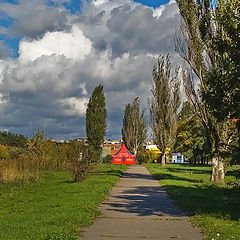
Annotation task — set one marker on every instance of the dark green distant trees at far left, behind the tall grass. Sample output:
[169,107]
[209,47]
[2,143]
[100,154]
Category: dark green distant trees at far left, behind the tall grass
[13,140]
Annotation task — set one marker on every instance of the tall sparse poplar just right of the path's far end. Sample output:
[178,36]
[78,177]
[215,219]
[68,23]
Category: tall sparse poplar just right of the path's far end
[164,104]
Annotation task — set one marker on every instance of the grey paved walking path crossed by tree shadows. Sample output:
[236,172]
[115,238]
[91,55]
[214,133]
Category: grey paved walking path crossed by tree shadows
[138,208]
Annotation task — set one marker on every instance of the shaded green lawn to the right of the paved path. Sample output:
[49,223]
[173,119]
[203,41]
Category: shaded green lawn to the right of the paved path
[215,208]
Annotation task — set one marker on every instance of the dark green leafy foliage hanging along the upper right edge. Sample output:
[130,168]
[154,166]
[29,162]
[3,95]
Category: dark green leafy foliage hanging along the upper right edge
[223,78]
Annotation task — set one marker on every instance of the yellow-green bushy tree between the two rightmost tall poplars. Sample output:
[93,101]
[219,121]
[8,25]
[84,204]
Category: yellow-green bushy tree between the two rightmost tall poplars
[191,136]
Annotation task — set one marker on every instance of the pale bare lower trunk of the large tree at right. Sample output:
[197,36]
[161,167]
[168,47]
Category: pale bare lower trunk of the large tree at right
[218,172]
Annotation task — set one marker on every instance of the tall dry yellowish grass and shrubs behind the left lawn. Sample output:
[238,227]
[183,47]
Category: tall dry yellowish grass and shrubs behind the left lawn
[23,164]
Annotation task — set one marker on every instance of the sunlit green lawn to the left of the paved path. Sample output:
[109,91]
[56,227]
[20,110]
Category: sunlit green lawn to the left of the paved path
[54,207]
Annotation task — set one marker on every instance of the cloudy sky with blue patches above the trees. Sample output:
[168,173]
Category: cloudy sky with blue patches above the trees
[53,53]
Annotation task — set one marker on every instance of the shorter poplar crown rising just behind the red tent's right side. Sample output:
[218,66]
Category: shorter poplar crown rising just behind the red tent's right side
[134,128]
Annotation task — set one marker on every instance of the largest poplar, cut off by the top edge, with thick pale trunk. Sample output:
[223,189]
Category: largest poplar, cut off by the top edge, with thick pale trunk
[209,44]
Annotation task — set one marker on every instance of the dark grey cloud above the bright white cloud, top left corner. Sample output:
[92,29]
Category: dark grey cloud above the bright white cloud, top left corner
[33,18]
